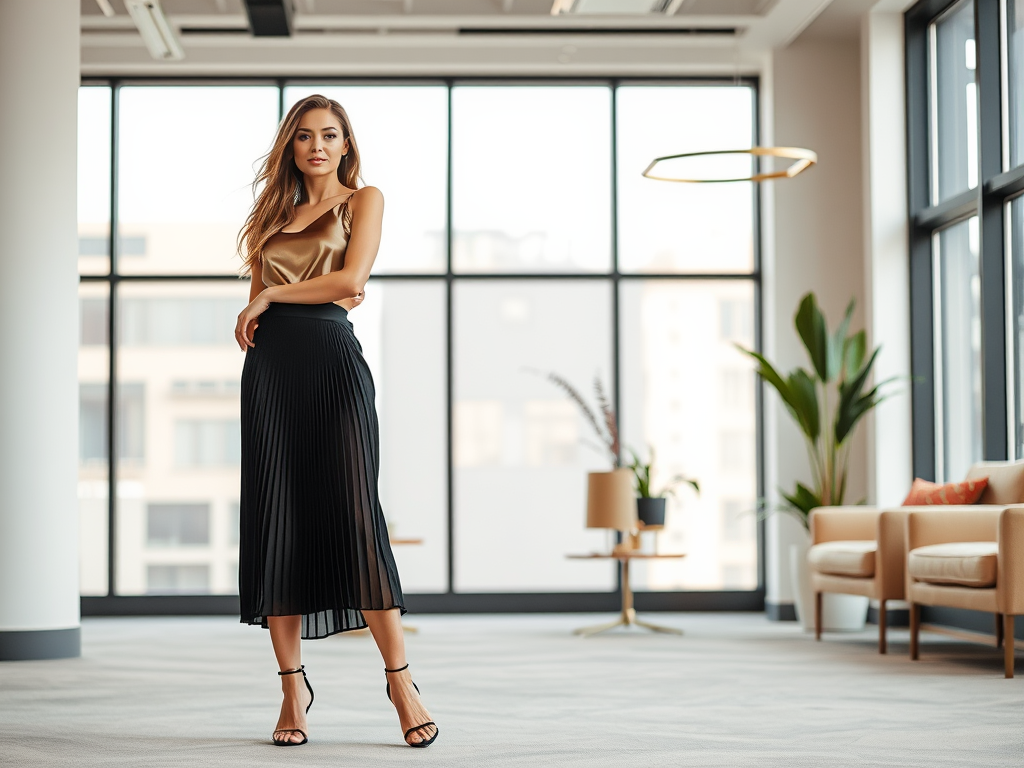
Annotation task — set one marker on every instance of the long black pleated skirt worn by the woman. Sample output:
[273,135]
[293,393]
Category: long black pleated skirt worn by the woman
[313,538]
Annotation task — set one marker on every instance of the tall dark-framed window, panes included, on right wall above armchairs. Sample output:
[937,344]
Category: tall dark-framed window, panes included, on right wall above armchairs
[965,228]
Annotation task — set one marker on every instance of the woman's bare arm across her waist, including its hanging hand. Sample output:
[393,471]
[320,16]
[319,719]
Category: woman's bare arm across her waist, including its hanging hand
[348,283]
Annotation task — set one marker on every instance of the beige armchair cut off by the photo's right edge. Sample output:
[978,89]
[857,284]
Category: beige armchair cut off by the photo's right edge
[967,559]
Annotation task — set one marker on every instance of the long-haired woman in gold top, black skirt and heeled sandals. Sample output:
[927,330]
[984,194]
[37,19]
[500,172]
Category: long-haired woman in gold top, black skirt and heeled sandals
[315,558]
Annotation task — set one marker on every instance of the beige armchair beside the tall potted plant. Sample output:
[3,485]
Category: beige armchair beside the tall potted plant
[858,551]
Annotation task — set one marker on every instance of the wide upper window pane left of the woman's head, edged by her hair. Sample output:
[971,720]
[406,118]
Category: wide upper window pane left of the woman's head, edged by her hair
[187,158]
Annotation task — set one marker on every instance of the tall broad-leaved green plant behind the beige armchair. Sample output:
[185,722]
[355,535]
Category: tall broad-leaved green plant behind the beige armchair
[827,402]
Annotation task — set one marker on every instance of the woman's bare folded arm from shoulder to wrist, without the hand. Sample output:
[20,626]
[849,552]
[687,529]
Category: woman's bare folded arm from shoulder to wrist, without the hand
[368,212]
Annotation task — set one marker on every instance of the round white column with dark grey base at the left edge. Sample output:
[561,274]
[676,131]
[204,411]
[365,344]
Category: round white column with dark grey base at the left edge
[39,78]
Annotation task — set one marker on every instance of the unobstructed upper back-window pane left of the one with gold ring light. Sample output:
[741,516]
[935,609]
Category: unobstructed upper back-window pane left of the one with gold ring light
[532,180]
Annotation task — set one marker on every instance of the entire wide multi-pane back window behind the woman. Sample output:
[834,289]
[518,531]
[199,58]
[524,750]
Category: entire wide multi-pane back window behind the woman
[499,264]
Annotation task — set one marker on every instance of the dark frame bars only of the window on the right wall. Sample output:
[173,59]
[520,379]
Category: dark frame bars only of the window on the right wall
[988,201]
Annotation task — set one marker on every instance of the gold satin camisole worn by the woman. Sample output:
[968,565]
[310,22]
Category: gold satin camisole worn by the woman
[317,250]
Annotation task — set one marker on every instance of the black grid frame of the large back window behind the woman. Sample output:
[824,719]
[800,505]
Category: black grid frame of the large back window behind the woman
[450,602]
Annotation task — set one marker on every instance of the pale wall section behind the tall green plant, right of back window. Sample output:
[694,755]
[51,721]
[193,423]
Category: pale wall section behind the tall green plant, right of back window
[817,244]
